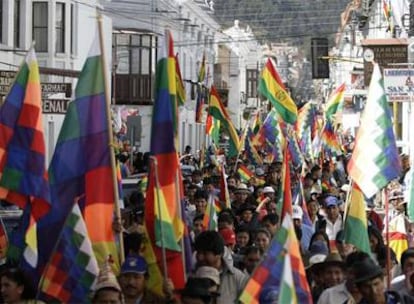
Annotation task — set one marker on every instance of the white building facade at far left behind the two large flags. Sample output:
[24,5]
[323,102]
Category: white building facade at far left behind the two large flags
[62,32]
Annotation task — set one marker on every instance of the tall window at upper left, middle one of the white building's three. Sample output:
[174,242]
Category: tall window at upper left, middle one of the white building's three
[40,19]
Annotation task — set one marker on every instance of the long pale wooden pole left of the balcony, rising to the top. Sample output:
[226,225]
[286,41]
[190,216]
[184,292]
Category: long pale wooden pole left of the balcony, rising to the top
[110,137]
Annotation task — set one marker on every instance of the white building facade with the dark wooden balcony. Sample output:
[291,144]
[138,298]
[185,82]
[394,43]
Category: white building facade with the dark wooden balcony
[193,28]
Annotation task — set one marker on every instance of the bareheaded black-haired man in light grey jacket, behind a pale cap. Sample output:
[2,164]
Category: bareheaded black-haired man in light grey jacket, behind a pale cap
[209,247]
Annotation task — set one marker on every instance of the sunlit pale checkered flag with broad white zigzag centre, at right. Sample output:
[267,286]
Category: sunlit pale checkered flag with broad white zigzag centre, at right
[375,160]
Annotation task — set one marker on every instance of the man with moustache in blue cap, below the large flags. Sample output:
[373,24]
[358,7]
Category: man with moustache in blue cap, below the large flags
[134,272]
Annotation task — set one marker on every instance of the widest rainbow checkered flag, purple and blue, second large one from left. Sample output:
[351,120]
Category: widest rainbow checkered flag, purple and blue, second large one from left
[81,168]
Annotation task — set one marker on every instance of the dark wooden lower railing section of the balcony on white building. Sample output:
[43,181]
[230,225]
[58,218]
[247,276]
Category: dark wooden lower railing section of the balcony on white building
[133,89]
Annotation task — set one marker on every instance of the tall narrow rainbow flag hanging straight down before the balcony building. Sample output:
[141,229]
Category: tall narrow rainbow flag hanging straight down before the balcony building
[163,196]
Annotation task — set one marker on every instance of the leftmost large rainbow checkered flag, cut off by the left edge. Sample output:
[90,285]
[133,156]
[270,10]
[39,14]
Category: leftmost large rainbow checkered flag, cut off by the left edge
[23,177]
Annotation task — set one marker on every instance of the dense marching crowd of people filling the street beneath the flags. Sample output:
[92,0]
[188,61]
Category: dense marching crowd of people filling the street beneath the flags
[224,258]
